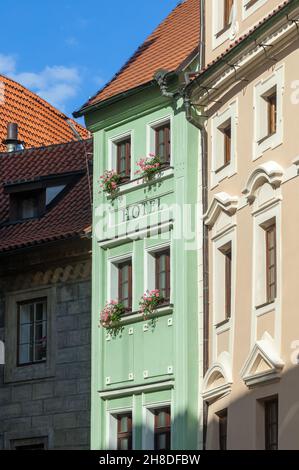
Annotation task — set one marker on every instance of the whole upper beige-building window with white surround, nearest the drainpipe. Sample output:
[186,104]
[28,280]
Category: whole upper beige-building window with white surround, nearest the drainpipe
[224,144]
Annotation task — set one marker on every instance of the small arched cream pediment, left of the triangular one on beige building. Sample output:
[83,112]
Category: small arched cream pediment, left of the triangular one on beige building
[222,367]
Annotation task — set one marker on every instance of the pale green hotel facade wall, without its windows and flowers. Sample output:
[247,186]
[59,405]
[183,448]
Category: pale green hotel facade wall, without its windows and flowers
[146,366]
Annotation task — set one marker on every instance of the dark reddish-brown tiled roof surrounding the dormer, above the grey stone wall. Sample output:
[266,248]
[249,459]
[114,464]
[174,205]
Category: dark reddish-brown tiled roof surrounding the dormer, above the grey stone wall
[69,217]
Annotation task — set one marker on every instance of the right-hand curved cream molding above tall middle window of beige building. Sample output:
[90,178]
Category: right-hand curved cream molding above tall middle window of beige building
[269,172]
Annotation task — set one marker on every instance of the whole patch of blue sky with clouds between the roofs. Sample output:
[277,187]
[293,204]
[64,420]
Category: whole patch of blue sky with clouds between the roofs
[66,50]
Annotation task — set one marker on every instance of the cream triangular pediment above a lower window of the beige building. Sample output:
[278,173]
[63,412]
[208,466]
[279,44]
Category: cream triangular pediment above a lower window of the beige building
[265,350]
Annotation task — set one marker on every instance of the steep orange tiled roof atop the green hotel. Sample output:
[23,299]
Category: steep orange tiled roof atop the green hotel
[167,47]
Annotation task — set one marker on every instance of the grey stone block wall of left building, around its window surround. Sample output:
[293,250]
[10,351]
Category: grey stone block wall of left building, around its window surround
[57,407]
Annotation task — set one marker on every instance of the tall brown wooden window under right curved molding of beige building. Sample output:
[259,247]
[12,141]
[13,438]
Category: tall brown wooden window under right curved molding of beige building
[271,267]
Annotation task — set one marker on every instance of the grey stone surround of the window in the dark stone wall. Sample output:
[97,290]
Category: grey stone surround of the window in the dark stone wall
[12,373]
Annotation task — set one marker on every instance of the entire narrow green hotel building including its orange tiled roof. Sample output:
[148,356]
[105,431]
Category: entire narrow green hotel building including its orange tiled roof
[146,370]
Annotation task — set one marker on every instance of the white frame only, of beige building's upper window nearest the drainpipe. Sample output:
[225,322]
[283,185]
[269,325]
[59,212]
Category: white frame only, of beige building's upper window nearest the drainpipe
[220,172]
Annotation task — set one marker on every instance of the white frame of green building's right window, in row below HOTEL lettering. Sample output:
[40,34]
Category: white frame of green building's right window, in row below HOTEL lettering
[149,266]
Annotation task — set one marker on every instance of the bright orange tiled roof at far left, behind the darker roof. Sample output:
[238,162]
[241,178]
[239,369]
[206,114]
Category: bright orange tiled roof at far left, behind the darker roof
[39,123]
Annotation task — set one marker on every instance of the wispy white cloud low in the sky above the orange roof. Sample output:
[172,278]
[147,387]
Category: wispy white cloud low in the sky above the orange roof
[56,84]
